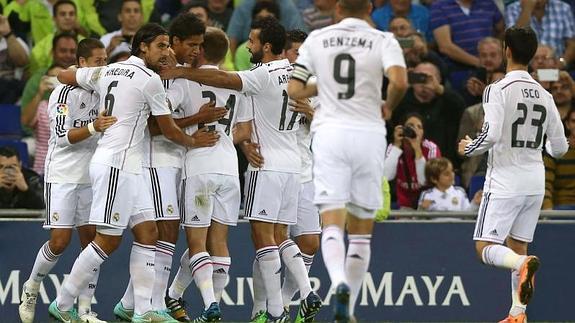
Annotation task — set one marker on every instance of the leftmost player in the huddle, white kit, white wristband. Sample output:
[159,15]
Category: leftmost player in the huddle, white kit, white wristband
[74,128]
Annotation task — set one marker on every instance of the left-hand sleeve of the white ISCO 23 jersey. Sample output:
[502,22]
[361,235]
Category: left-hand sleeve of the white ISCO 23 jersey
[492,124]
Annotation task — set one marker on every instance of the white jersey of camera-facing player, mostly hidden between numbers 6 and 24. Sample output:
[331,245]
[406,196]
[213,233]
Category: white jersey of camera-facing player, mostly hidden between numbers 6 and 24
[159,151]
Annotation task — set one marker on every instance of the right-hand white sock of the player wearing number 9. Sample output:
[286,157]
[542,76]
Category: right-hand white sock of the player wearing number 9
[356,264]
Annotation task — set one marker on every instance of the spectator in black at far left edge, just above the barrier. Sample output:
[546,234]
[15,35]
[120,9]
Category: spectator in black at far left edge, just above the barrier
[20,188]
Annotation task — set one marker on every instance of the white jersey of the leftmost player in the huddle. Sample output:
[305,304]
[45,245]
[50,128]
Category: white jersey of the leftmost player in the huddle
[70,107]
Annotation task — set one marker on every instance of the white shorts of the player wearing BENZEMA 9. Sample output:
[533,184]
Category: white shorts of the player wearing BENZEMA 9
[348,167]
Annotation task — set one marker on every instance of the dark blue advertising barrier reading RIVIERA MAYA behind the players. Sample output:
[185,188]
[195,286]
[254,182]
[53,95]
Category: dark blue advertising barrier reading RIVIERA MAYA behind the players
[421,271]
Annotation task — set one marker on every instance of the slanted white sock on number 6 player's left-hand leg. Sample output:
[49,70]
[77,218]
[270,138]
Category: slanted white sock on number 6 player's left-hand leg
[83,270]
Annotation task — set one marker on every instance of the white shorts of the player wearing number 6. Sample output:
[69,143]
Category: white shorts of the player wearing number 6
[118,196]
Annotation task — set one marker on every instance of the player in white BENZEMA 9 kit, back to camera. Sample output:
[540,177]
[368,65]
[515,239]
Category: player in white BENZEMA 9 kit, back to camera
[349,60]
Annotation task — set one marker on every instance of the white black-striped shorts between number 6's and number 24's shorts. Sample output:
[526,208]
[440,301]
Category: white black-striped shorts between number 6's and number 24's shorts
[163,184]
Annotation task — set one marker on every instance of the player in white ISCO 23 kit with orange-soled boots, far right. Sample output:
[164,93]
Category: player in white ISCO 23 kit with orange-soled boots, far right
[518,115]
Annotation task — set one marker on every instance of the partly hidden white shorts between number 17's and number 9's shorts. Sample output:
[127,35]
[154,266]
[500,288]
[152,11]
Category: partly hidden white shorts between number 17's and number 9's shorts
[308,220]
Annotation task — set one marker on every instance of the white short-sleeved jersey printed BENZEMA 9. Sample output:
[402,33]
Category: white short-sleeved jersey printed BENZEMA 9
[349,60]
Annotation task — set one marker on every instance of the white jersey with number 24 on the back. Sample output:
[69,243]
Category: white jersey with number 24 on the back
[222,158]
